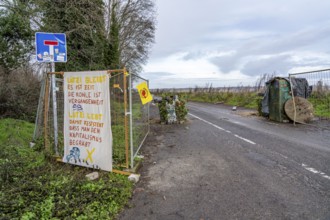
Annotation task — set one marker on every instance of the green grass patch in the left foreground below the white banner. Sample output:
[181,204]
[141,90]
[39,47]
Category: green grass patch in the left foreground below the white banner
[33,186]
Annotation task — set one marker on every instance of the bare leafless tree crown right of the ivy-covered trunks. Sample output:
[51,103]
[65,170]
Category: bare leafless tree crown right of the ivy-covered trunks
[136,20]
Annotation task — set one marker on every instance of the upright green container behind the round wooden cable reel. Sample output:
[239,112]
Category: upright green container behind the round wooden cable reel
[279,93]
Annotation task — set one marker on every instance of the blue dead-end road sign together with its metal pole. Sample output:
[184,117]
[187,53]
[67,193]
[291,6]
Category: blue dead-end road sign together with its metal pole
[51,48]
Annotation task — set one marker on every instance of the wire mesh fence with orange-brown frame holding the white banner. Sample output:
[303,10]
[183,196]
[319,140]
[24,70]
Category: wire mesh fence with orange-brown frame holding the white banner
[129,118]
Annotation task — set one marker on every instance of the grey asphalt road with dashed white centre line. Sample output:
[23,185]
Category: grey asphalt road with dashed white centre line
[223,164]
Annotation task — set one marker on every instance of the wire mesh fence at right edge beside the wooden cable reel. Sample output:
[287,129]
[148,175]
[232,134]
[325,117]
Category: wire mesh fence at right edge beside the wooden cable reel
[319,86]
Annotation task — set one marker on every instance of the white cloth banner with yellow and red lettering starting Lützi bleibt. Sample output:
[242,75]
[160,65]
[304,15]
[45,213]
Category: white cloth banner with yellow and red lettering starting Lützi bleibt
[87,122]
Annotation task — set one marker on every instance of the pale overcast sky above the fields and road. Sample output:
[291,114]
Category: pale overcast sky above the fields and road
[231,42]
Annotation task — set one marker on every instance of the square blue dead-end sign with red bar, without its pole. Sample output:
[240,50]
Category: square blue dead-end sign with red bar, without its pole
[50,47]
